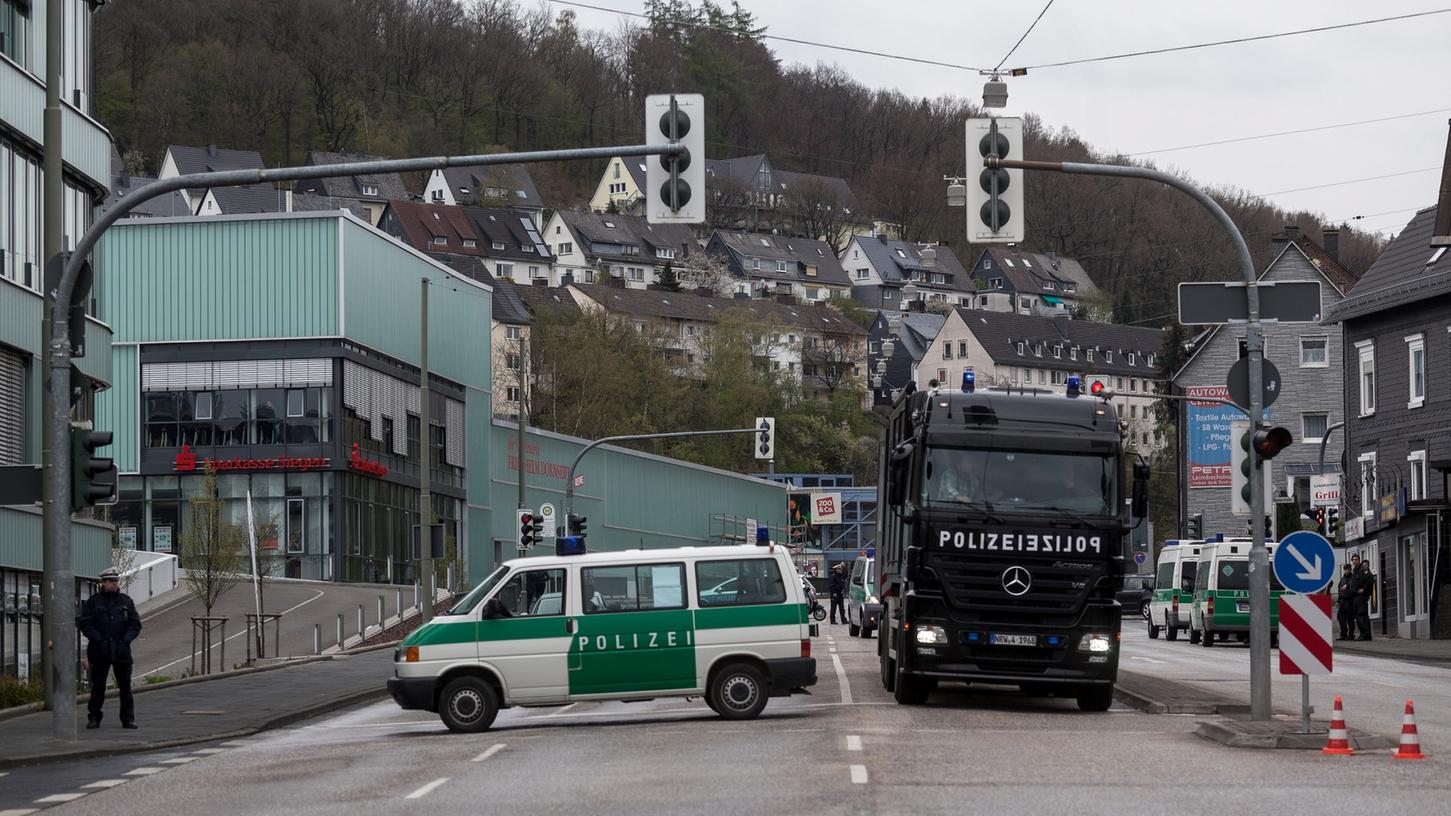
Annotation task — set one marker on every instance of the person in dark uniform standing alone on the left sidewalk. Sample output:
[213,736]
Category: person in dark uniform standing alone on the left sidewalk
[110,622]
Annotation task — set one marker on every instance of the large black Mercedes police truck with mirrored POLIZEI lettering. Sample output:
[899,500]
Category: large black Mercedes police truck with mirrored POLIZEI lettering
[1000,541]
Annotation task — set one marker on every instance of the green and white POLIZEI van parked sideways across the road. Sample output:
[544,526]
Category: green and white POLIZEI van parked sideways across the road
[728,624]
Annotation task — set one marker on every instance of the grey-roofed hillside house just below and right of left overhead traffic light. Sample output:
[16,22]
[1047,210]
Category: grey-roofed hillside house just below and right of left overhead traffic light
[777,265]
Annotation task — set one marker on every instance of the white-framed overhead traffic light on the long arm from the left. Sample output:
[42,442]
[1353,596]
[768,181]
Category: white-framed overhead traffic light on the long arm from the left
[675,185]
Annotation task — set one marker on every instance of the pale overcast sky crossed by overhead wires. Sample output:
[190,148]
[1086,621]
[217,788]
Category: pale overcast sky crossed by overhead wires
[1148,104]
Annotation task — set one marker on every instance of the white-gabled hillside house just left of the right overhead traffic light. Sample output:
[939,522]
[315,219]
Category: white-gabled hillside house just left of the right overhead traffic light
[880,268]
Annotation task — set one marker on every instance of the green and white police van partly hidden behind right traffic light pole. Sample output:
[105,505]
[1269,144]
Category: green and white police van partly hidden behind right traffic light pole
[1222,593]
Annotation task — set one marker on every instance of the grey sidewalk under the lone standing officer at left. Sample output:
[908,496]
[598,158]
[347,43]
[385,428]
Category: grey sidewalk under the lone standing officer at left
[207,711]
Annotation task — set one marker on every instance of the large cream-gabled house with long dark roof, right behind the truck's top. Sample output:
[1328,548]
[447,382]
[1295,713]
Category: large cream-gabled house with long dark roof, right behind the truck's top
[1043,352]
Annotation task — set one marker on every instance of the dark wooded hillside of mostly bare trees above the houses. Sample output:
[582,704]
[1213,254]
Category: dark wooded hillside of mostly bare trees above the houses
[424,78]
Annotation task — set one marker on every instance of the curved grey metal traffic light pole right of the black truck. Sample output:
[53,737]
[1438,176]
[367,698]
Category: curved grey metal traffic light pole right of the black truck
[1260,693]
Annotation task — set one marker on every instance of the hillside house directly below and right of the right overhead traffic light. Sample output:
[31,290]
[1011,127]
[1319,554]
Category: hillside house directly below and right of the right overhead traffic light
[1029,284]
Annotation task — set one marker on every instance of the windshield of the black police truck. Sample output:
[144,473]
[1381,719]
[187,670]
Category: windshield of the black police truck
[1015,481]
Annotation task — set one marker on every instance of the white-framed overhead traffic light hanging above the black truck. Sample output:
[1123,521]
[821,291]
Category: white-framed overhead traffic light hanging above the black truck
[995,195]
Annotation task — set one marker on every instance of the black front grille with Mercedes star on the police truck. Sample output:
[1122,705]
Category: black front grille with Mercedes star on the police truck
[1056,595]
